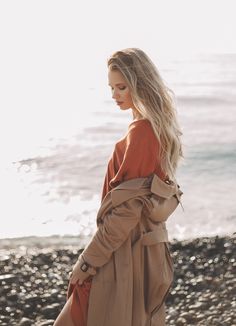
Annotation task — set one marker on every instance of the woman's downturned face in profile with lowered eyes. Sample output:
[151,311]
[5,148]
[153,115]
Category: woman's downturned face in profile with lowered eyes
[120,90]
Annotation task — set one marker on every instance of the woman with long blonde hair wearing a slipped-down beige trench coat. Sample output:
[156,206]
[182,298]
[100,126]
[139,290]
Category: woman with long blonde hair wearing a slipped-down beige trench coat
[97,291]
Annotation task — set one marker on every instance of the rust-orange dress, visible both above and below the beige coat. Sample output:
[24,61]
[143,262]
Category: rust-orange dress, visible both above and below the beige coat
[135,155]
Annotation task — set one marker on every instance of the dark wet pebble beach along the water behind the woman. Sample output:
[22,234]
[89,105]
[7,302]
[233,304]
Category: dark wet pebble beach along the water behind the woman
[34,280]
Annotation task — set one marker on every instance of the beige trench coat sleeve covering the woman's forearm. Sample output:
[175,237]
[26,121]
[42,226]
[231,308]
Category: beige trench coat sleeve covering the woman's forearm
[113,232]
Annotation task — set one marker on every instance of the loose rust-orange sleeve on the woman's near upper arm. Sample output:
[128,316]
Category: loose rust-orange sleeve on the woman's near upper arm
[140,156]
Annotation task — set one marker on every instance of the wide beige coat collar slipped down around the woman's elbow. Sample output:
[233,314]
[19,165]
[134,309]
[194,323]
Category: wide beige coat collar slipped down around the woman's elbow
[138,186]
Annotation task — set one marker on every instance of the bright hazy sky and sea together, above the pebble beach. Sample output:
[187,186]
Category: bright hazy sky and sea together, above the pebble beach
[59,124]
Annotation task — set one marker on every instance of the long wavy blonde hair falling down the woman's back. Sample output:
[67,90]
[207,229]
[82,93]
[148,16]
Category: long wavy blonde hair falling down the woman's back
[152,99]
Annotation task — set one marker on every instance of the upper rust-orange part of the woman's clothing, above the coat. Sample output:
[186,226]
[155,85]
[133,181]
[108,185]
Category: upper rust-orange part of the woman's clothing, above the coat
[135,155]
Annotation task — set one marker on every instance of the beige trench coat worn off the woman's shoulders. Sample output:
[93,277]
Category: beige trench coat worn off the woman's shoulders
[131,255]
